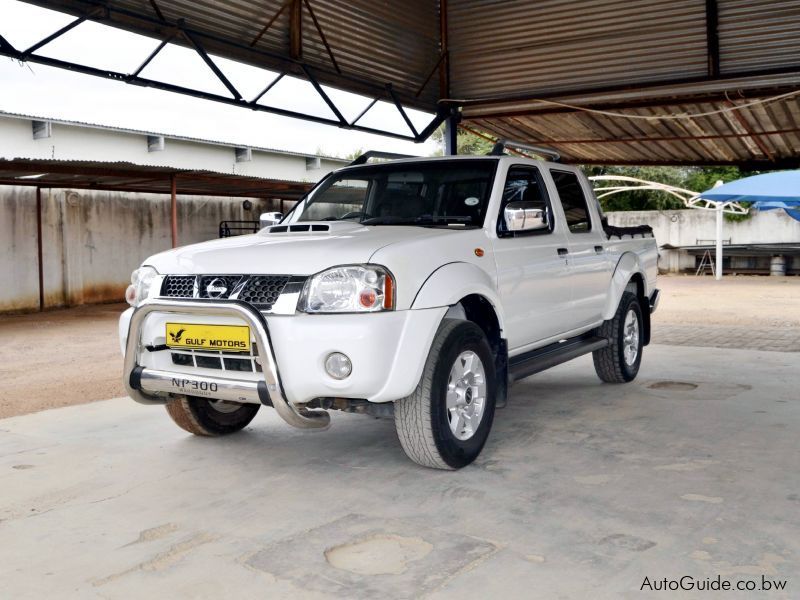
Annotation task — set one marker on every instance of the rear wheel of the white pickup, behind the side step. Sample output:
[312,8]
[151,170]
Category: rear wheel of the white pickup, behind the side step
[617,363]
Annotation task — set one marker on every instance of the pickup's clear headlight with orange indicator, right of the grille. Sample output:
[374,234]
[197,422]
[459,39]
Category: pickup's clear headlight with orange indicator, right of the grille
[354,288]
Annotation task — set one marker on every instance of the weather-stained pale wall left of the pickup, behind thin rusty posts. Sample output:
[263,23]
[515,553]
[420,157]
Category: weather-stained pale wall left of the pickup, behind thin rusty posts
[93,240]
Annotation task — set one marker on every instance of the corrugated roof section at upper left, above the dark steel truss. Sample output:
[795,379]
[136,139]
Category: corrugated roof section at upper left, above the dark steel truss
[373,43]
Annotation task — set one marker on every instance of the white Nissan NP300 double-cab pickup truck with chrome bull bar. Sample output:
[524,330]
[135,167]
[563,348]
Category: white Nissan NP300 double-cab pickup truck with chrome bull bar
[414,288]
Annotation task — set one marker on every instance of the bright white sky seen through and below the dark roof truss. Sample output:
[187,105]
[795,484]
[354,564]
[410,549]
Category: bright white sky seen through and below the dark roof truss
[47,92]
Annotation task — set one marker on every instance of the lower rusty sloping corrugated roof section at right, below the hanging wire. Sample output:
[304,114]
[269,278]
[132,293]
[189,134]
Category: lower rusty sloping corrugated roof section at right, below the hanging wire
[768,134]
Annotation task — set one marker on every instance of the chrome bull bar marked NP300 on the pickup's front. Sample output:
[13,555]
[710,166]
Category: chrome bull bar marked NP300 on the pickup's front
[142,383]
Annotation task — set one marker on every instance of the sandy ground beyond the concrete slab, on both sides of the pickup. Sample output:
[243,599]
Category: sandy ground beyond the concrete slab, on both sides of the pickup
[64,357]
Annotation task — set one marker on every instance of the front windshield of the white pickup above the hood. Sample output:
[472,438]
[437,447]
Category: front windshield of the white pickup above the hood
[440,193]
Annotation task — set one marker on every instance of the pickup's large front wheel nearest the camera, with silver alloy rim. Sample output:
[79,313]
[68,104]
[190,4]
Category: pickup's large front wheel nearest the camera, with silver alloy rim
[423,419]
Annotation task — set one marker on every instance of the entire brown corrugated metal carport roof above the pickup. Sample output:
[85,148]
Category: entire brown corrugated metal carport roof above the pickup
[504,57]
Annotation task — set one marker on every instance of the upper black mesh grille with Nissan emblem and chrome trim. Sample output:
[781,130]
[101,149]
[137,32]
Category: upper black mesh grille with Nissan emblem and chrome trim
[262,291]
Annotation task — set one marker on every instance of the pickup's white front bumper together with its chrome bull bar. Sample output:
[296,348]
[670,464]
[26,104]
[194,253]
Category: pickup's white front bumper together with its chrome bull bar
[387,350]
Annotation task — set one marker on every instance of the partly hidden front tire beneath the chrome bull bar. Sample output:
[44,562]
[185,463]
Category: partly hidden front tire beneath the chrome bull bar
[200,417]
